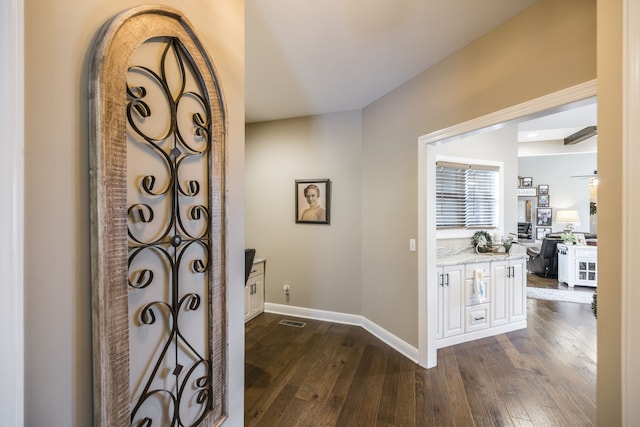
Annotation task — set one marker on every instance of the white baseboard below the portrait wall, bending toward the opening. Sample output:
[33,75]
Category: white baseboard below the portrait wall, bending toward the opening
[382,334]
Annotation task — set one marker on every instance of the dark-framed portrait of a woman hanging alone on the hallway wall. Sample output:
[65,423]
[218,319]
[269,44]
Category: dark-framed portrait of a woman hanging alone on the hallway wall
[313,201]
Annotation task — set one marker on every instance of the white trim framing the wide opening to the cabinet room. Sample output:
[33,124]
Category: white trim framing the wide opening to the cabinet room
[427,277]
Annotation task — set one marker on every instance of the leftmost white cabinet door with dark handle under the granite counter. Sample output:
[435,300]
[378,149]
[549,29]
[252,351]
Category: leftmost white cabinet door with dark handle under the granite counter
[453,301]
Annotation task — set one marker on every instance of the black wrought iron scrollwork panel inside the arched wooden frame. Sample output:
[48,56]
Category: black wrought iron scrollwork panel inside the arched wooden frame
[169,250]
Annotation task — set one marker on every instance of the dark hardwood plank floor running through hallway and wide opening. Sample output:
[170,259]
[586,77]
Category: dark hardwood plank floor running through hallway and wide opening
[328,374]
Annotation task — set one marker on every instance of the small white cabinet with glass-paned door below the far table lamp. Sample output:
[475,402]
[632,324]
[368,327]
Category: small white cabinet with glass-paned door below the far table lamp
[578,265]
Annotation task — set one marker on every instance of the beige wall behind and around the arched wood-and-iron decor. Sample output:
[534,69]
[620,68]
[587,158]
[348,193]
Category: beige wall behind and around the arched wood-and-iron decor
[58,41]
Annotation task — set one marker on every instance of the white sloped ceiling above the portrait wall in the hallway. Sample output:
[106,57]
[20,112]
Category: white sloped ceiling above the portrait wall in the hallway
[306,57]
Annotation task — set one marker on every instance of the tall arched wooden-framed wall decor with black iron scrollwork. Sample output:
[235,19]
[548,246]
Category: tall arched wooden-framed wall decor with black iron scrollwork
[158,248]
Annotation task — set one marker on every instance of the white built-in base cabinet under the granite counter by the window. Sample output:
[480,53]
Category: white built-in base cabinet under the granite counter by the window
[480,299]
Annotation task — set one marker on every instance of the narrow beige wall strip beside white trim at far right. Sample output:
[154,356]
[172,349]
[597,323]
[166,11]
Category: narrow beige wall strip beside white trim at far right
[611,207]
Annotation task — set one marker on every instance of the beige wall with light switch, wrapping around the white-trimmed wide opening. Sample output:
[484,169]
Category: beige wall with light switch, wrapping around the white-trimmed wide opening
[550,46]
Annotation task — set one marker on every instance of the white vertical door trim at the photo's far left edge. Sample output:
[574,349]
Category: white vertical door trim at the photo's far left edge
[12,212]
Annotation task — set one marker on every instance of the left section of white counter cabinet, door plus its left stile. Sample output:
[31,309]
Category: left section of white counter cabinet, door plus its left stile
[450,301]
